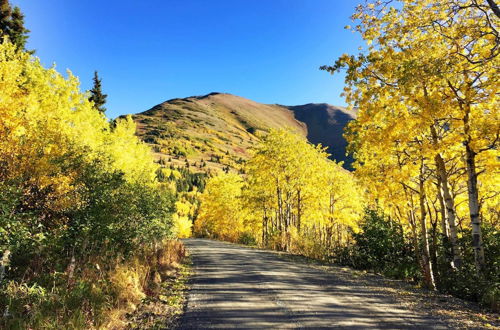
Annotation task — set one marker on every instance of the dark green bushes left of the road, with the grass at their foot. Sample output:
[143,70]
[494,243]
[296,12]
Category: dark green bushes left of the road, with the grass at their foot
[115,219]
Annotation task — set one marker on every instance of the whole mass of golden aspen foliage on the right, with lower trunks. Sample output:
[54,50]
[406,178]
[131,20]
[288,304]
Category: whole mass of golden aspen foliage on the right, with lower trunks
[427,133]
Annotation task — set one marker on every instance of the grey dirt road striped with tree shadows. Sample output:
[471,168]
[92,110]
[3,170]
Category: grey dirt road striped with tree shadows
[238,287]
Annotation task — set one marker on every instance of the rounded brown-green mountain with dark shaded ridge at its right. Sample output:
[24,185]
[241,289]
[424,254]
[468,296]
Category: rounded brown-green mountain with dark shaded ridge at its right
[216,131]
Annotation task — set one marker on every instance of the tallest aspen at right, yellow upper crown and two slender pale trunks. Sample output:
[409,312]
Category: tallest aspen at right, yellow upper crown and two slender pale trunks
[436,62]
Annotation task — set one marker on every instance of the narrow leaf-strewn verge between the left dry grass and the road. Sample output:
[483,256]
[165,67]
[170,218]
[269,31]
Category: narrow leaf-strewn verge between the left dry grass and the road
[163,309]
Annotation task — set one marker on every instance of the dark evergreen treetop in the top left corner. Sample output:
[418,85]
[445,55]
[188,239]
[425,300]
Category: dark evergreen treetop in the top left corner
[12,25]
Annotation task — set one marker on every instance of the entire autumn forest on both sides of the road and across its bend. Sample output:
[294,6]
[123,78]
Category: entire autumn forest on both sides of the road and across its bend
[89,219]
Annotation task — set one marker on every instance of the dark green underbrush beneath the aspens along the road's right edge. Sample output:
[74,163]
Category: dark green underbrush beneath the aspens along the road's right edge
[382,247]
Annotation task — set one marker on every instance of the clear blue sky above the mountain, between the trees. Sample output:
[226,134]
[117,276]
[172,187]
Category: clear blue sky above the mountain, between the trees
[152,50]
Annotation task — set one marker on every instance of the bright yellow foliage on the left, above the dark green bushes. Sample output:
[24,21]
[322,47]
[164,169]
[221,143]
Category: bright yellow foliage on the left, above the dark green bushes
[45,118]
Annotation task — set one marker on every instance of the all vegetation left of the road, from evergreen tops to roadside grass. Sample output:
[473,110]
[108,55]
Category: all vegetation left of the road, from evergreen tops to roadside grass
[87,232]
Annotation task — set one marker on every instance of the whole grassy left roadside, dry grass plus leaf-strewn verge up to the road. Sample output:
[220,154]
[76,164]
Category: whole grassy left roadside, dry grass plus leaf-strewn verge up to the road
[145,292]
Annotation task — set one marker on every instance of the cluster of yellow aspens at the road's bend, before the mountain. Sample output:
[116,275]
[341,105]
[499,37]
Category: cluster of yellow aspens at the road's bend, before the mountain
[291,194]
